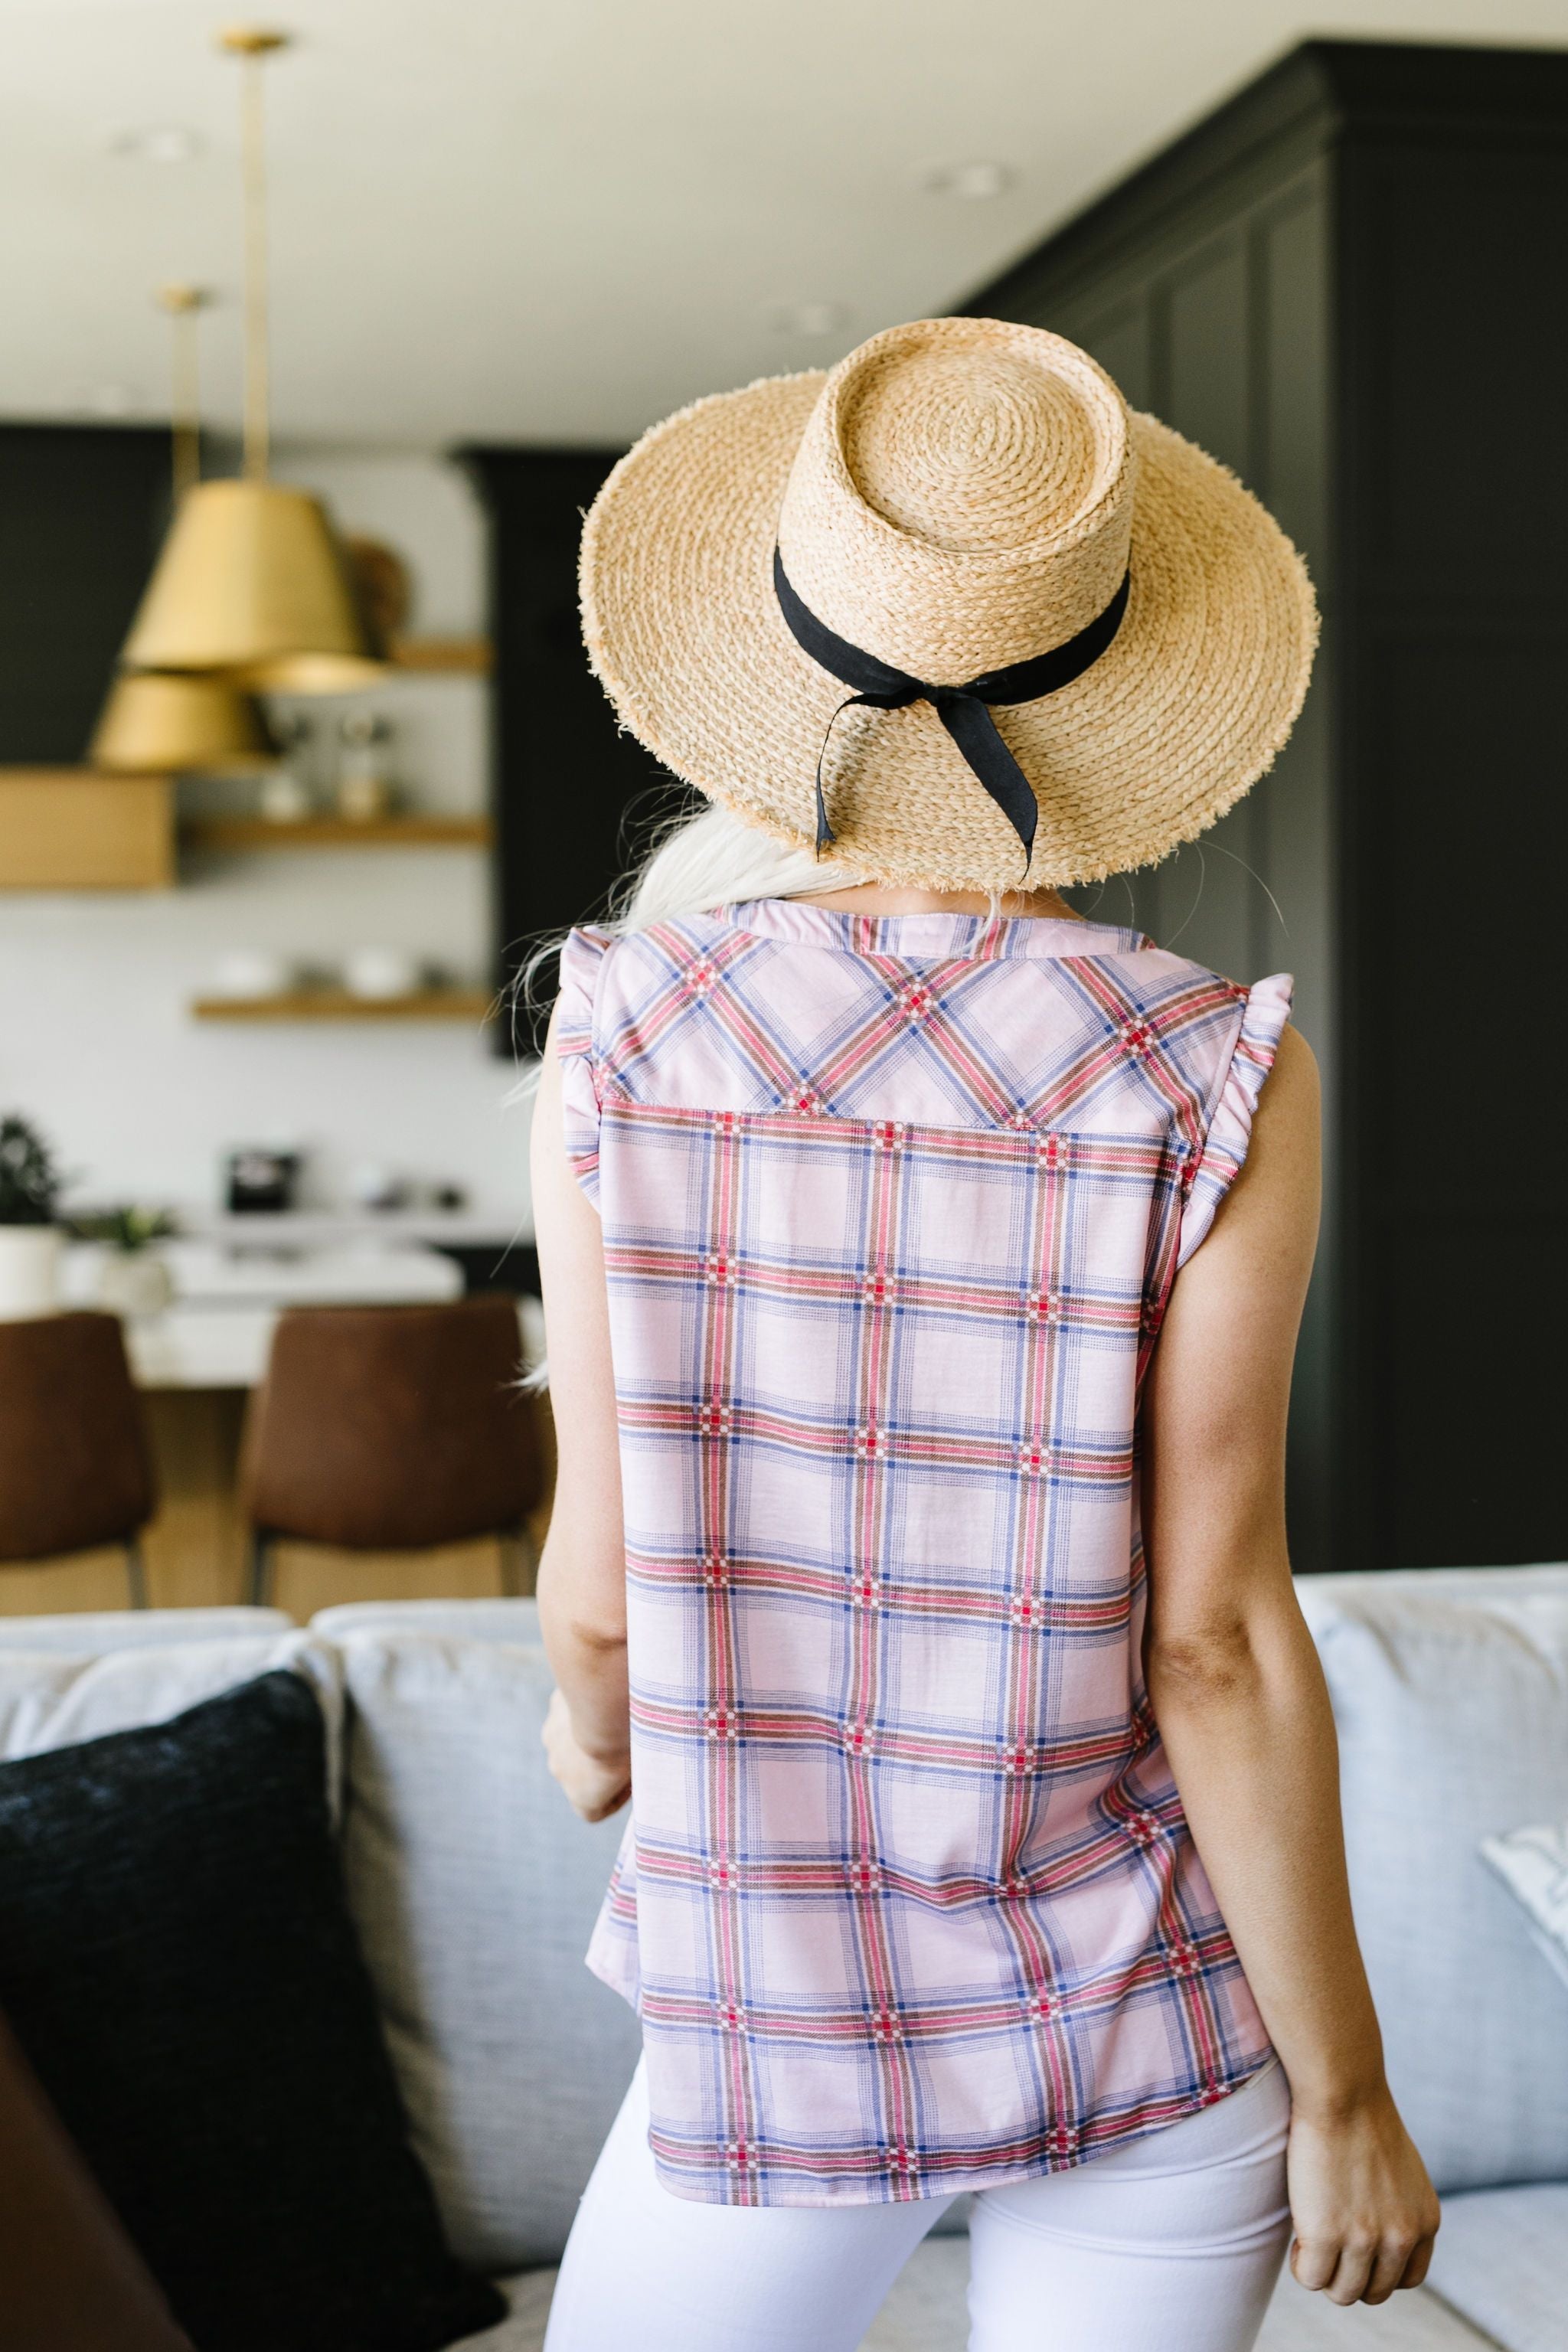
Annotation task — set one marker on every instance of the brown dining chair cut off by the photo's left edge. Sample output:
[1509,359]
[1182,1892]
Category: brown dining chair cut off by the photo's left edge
[74,1452]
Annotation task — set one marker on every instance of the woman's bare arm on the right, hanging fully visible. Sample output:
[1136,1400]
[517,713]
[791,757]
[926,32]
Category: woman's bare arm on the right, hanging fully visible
[1242,1704]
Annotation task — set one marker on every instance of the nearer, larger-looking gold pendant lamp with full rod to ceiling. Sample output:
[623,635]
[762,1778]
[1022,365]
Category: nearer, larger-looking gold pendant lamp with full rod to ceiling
[253,580]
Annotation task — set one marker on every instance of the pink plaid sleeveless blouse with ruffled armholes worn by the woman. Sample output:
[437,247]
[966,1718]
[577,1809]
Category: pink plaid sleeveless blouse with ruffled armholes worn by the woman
[892,1210]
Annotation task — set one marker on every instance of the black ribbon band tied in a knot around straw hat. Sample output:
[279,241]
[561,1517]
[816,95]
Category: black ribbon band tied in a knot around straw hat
[965,711]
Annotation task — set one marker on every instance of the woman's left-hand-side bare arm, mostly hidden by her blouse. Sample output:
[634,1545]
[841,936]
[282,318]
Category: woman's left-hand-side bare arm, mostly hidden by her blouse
[582,1577]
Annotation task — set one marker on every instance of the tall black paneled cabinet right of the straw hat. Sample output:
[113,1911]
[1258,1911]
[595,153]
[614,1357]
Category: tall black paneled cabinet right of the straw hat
[1348,286]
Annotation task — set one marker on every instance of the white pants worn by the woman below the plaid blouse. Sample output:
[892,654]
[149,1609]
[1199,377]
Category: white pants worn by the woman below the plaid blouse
[1170,2243]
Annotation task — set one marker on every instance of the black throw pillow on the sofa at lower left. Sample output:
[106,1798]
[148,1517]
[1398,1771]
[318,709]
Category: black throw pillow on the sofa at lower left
[180,1965]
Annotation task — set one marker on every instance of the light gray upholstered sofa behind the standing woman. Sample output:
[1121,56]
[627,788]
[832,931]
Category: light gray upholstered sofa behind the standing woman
[476,1887]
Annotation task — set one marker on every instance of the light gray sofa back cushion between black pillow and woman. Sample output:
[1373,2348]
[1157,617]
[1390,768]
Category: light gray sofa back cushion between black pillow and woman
[476,1890]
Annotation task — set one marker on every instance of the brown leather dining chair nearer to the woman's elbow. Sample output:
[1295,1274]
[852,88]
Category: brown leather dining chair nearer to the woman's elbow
[391,1429]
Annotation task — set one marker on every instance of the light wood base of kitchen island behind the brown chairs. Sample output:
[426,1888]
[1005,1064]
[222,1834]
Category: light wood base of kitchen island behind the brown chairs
[196,1544]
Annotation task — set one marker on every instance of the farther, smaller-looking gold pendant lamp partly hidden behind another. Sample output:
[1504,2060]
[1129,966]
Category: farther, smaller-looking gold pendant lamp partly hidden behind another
[159,723]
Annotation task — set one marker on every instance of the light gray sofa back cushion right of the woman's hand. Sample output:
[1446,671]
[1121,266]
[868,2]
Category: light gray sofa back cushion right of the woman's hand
[1452,1699]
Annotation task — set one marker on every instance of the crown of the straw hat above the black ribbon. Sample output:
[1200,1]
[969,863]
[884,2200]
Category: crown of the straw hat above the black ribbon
[963,497]
